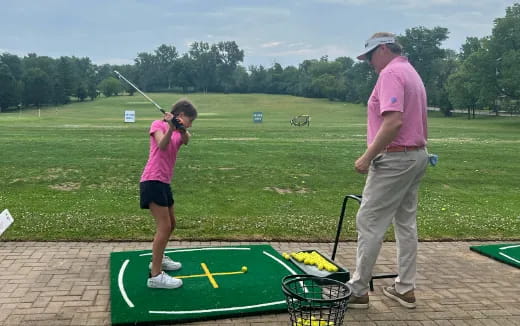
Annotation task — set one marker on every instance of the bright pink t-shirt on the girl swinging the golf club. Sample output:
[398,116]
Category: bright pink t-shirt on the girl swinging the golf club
[161,163]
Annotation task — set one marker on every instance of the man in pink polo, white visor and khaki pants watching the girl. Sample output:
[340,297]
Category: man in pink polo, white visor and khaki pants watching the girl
[395,160]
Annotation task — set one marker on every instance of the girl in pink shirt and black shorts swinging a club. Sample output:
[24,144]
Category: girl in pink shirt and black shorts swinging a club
[166,138]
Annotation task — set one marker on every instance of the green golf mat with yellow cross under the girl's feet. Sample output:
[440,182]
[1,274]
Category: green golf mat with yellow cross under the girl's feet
[218,289]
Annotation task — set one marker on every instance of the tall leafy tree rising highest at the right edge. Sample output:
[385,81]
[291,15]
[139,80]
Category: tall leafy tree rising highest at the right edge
[489,66]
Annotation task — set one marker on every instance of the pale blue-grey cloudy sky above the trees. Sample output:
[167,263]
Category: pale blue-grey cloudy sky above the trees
[283,31]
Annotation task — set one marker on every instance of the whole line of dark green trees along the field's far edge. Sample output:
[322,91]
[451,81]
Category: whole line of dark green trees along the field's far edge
[483,75]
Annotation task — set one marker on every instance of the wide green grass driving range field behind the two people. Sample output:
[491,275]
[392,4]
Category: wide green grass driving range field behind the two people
[73,172]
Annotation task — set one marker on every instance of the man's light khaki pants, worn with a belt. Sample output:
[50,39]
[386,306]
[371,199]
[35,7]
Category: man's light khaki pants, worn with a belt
[390,196]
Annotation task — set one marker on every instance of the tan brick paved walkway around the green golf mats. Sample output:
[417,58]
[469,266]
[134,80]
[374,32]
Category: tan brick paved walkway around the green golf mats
[67,283]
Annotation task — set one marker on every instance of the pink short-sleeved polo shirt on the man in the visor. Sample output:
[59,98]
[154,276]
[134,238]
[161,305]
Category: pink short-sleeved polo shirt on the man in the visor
[399,88]
